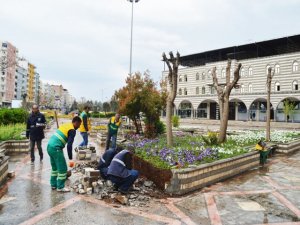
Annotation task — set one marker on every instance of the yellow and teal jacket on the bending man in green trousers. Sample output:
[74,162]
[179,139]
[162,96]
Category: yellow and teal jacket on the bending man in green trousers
[60,137]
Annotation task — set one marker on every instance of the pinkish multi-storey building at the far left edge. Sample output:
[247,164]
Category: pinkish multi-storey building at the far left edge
[8,54]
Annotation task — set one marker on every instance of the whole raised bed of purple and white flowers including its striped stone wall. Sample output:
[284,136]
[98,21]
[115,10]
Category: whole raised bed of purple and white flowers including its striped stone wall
[192,163]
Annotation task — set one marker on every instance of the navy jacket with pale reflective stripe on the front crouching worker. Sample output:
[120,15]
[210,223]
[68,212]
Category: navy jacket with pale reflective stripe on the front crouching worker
[117,166]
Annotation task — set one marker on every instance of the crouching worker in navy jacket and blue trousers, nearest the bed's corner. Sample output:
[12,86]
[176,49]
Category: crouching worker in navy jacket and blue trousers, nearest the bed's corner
[120,171]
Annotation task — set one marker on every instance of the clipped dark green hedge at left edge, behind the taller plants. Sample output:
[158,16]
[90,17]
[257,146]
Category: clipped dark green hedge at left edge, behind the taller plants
[13,116]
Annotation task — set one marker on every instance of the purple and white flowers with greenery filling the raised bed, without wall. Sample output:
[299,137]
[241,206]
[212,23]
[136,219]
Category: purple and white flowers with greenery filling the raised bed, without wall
[193,150]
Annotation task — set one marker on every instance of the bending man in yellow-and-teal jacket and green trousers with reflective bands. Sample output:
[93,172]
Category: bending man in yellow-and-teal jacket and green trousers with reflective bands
[64,135]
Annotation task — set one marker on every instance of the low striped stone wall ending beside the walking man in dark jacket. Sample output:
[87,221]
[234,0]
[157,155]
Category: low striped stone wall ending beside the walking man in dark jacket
[12,147]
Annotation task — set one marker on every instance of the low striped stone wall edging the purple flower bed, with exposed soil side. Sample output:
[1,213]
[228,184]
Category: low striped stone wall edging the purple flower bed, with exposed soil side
[182,181]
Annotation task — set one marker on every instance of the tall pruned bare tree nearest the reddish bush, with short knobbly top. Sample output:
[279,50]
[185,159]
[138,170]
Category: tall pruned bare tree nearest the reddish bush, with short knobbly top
[173,64]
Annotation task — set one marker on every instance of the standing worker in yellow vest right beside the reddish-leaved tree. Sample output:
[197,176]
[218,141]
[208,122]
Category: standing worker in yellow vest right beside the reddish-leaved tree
[112,131]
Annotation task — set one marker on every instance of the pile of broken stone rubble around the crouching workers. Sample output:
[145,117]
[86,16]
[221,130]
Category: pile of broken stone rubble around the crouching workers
[88,181]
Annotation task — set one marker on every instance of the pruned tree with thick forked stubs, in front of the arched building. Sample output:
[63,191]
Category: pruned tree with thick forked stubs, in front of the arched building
[223,92]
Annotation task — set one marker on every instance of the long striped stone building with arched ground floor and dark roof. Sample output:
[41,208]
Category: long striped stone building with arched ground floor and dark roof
[196,97]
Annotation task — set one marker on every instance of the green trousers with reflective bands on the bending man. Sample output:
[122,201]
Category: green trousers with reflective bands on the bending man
[59,167]
